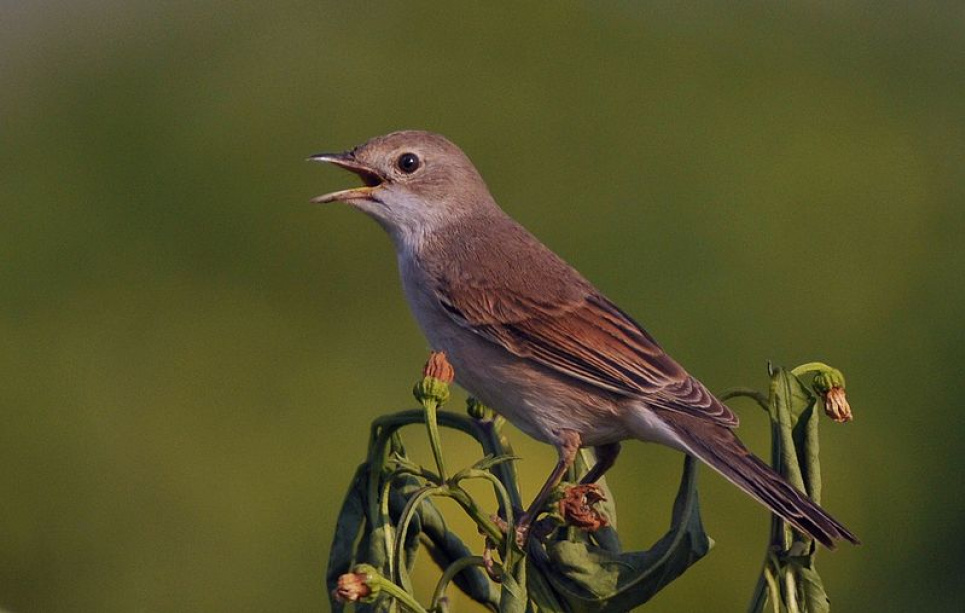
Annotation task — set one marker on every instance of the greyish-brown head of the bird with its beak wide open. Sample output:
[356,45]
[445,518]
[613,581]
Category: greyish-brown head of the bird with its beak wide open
[413,182]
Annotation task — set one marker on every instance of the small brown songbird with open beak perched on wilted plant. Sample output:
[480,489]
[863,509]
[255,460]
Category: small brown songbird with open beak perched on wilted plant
[532,338]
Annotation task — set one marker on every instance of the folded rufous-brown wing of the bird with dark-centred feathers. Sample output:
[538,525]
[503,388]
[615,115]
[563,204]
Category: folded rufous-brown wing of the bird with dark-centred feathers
[587,338]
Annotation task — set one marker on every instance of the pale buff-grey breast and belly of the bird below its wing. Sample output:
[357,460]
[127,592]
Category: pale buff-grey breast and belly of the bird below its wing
[537,400]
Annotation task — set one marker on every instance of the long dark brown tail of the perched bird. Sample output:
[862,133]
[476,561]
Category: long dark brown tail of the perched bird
[719,448]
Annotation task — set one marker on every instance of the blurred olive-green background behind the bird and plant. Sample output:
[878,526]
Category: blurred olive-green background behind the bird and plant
[192,353]
